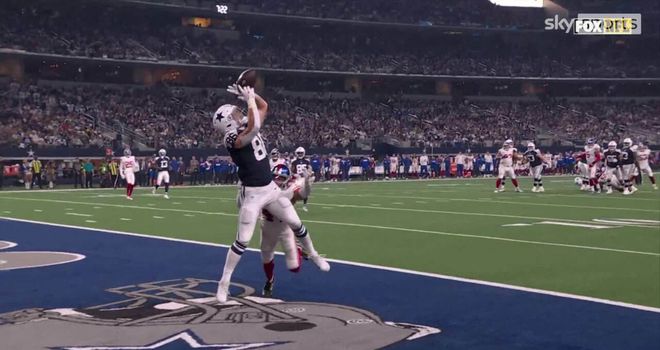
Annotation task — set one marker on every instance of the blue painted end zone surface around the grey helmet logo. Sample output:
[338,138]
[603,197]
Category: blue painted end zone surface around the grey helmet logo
[471,316]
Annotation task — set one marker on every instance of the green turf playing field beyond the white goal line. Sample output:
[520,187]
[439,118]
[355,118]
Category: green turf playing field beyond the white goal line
[451,227]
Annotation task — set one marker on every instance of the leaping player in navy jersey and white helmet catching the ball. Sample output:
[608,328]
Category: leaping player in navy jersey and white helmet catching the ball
[257,191]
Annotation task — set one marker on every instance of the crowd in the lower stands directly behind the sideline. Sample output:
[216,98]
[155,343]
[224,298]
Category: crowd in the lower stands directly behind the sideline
[179,118]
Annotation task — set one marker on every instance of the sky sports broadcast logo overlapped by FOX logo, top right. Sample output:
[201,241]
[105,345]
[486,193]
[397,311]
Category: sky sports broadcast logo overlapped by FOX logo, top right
[598,24]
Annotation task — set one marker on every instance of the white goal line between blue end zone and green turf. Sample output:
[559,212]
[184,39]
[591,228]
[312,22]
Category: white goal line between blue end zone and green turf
[379,267]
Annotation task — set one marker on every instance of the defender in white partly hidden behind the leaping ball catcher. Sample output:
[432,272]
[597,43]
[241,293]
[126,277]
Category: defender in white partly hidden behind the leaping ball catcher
[273,230]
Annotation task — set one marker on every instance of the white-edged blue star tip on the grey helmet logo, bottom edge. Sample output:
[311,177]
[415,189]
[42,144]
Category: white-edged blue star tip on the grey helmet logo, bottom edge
[183,340]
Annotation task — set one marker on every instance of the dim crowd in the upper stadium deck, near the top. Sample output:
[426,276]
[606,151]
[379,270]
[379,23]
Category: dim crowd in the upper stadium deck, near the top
[120,33]
